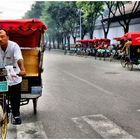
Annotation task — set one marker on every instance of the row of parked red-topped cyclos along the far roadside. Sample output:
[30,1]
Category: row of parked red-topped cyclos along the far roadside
[101,48]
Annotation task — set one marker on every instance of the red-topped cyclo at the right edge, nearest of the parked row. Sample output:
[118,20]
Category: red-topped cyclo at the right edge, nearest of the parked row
[133,57]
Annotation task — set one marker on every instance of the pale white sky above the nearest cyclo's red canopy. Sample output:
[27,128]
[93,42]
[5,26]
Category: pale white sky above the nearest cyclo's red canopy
[14,9]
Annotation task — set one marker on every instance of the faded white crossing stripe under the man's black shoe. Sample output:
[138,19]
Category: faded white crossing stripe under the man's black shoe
[33,130]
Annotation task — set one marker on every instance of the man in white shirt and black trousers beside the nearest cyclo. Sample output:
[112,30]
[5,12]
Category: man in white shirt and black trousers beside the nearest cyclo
[10,54]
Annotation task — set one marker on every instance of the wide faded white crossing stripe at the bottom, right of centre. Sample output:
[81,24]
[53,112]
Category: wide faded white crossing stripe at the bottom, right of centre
[103,126]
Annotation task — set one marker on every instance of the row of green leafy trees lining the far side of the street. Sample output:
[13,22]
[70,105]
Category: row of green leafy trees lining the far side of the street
[63,18]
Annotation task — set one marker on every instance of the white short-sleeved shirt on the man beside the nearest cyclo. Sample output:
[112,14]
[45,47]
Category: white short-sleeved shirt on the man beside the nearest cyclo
[10,57]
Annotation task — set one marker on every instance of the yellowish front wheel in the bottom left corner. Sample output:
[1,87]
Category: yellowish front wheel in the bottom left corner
[3,127]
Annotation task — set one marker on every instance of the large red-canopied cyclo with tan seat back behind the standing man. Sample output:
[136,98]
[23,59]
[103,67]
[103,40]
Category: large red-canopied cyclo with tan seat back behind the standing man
[29,34]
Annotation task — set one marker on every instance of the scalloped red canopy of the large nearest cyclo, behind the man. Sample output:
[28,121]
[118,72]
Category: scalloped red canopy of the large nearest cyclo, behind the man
[26,32]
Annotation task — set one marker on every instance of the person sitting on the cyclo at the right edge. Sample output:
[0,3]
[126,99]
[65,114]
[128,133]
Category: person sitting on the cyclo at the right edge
[125,49]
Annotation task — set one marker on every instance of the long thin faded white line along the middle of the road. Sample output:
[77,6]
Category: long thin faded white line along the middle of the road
[89,83]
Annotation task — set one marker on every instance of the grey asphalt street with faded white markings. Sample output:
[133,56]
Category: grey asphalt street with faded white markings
[83,98]
